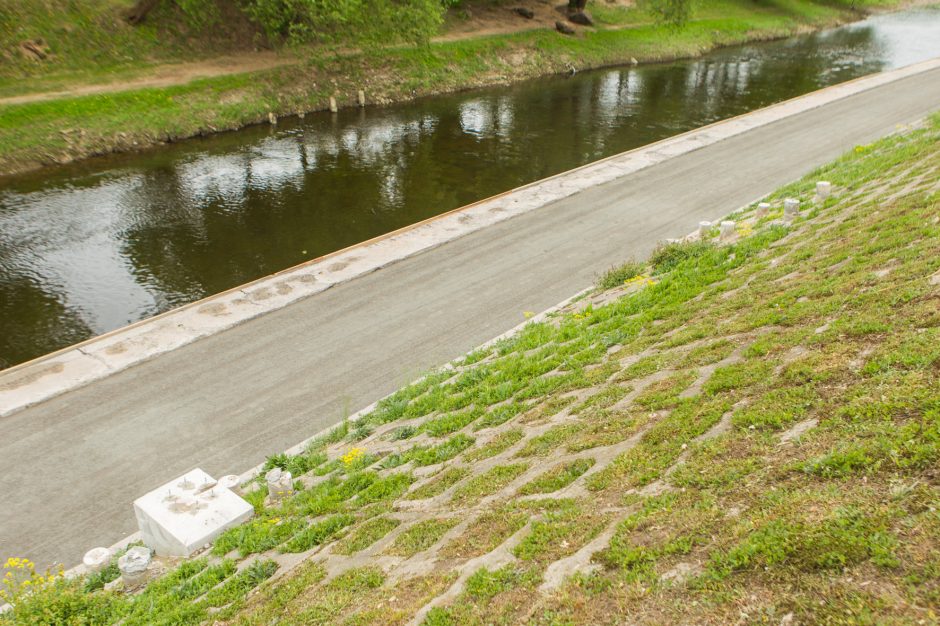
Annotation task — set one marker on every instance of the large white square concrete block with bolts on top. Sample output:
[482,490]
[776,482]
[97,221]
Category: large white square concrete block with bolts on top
[185,514]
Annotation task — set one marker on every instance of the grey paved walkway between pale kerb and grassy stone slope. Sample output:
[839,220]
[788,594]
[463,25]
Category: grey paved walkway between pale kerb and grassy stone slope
[70,466]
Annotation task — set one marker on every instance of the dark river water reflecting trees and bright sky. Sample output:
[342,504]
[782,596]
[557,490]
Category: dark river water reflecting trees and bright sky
[96,245]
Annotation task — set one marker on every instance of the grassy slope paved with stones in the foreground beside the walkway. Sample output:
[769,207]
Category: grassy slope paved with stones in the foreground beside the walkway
[750,430]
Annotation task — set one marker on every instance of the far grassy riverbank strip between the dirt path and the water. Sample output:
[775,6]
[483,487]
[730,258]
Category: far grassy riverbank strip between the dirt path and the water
[68,128]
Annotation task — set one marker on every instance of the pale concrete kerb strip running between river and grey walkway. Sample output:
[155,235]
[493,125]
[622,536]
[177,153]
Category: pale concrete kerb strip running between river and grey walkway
[33,382]
